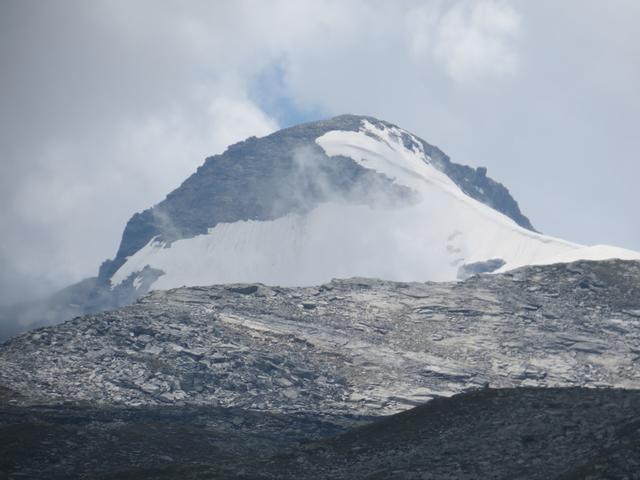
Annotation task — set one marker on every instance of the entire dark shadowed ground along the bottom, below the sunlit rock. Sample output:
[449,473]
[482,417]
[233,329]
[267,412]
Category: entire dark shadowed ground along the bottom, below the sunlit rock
[524,433]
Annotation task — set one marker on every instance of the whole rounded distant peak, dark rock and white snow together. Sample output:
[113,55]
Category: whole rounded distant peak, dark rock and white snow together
[351,196]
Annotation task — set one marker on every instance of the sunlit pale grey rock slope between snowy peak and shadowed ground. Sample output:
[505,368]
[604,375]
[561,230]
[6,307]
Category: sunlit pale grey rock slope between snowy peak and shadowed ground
[358,346]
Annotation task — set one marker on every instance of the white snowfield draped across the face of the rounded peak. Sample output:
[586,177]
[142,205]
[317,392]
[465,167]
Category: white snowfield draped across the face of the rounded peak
[428,236]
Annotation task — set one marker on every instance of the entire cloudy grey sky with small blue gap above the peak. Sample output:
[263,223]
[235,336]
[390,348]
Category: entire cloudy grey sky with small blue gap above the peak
[106,106]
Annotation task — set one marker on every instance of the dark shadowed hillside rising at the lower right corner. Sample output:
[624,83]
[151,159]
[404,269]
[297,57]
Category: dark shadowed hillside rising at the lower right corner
[506,434]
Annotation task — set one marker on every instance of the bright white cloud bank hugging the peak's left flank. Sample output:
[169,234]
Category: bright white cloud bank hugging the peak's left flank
[69,212]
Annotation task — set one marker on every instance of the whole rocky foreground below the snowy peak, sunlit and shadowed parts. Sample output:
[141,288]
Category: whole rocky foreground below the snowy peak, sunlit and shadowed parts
[250,381]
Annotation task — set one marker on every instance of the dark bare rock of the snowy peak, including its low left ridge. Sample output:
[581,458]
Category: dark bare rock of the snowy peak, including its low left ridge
[256,179]
